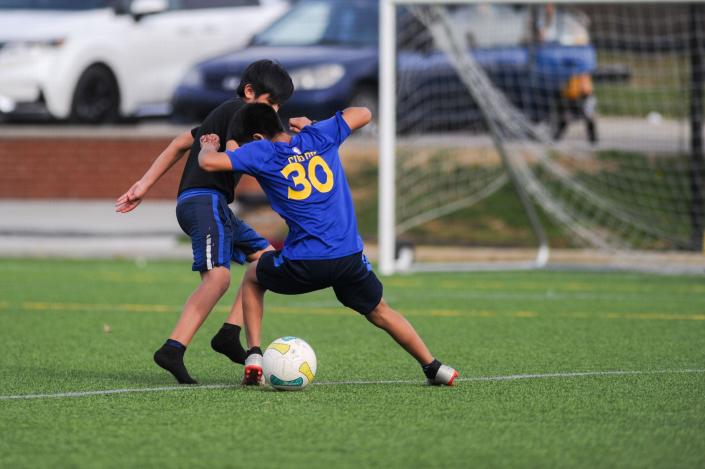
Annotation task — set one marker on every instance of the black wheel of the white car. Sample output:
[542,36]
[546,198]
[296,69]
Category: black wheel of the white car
[96,98]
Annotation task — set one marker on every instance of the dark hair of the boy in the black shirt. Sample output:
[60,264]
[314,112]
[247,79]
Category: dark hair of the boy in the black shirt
[267,76]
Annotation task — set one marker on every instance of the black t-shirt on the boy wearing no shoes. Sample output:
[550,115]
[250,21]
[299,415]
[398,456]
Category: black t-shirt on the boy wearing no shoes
[196,178]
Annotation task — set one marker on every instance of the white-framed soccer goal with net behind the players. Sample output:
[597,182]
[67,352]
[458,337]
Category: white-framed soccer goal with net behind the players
[520,135]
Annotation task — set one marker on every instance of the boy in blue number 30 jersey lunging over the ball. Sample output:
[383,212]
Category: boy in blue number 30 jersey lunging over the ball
[304,180]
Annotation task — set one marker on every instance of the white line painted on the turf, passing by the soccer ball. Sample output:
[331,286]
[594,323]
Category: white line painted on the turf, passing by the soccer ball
[580,374]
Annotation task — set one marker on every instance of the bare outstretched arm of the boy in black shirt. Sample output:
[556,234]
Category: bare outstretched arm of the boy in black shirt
[166,159]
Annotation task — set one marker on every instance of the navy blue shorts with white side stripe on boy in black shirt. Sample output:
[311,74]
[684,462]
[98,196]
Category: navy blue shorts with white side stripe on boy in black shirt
[217,235]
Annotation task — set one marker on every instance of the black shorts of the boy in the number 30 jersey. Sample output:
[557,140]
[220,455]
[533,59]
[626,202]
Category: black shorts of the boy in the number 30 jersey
[355,284]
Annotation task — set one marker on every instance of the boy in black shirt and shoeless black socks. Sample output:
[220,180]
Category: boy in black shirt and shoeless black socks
[217,236]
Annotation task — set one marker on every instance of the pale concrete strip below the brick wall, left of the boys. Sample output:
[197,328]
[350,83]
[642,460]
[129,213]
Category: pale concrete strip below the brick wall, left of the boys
[89,229]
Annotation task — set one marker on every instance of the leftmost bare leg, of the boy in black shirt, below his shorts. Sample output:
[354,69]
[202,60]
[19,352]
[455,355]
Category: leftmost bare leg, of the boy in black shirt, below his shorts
[214,284]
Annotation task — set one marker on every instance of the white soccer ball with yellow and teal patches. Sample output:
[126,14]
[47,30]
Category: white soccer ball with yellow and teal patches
[289,364]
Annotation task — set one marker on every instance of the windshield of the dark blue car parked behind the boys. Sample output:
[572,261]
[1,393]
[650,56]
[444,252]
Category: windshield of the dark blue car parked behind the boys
[319,22]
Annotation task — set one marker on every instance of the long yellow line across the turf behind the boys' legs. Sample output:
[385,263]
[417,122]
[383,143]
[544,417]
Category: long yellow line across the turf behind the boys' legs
[340,311]
